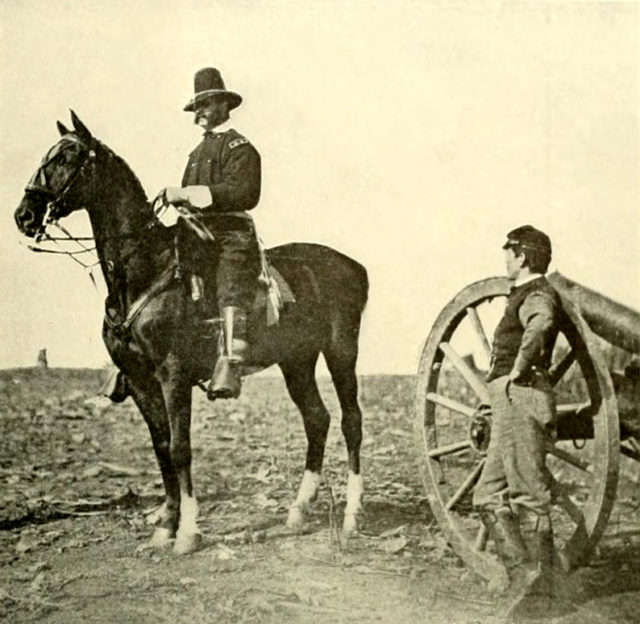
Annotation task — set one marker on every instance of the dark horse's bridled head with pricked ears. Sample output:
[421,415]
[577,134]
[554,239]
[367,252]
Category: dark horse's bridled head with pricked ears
[55,189]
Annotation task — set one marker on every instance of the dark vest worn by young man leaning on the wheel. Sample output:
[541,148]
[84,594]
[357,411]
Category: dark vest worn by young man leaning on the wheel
[508,335]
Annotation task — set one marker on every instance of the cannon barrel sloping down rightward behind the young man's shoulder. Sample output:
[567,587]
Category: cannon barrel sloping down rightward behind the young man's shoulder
[616,323]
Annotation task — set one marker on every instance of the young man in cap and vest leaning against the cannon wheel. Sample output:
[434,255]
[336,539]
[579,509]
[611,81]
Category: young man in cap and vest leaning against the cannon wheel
[515,481]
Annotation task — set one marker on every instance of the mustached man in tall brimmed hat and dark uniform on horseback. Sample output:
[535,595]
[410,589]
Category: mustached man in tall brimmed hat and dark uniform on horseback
[221,183]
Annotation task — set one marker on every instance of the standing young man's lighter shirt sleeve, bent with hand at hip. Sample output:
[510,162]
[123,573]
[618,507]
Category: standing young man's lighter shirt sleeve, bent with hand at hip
[537,315]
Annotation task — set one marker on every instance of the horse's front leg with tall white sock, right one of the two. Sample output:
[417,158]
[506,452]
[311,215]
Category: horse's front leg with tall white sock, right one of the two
[177,394]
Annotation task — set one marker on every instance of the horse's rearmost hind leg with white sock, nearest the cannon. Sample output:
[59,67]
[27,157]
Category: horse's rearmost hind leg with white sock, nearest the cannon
[341,359]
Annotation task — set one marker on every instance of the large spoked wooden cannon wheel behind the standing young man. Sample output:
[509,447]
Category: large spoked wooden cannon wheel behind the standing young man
[451,392]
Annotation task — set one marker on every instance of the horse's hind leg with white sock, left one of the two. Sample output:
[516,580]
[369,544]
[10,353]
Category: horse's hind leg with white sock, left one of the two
[299,376]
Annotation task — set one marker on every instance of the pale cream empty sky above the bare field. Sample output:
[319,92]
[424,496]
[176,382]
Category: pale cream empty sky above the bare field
[410,135]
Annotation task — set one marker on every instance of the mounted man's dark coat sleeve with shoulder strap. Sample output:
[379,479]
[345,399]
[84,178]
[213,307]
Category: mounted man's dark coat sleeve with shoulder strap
[239,188]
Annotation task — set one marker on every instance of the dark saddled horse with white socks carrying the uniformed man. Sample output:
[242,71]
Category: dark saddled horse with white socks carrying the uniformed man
[154,335]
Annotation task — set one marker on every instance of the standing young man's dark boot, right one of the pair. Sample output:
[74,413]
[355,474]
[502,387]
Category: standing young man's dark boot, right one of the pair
[531,595]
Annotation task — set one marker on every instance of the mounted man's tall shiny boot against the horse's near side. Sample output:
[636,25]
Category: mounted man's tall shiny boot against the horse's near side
[225,381]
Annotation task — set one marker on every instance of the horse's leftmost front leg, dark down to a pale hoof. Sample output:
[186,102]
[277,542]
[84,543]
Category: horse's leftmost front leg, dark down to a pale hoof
[148,397]
